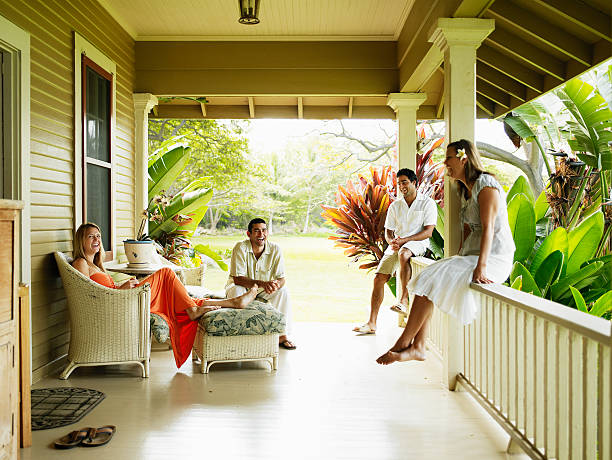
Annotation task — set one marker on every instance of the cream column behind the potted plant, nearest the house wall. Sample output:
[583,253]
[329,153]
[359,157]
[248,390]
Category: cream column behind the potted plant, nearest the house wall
[143,103]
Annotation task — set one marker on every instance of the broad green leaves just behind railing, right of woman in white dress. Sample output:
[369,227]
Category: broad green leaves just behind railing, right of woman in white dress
[561,266]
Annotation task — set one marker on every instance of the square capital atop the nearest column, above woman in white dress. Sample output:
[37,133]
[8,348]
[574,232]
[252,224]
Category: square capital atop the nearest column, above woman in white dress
[449,32]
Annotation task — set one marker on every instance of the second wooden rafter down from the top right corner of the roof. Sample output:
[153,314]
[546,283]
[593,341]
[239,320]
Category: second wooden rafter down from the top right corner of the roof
[541,30]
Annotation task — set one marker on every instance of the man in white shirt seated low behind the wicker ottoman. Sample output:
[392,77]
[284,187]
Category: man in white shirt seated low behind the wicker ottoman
[258,261]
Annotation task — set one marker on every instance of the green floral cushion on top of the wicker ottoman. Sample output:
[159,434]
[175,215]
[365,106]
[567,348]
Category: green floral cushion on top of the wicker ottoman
[257,319]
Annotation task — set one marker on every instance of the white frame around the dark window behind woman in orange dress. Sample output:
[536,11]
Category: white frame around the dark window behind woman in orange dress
[82,46]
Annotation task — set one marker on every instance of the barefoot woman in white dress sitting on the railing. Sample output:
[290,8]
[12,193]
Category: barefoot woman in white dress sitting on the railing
[486,255]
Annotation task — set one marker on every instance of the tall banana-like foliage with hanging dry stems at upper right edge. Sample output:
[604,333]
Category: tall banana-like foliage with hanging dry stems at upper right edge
[580,181]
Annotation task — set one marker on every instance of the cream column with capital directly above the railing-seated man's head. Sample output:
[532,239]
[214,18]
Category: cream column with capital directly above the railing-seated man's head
[406,106]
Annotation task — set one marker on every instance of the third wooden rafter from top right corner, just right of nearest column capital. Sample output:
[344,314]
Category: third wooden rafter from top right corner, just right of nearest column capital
[524,51]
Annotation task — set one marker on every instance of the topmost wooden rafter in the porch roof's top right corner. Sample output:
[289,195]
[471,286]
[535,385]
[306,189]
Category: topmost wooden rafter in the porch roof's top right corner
[580,14]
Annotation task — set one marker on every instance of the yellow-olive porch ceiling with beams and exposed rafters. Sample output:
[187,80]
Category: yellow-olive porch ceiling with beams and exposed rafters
[340,58]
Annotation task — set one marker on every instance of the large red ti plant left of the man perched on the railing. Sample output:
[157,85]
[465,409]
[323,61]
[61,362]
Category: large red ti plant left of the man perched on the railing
[360,215]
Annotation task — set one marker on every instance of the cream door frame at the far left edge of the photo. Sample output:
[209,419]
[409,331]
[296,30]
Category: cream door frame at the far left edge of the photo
[16,43]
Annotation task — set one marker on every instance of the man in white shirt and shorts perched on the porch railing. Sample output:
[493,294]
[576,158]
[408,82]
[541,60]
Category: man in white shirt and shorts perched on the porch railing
[410,222]
